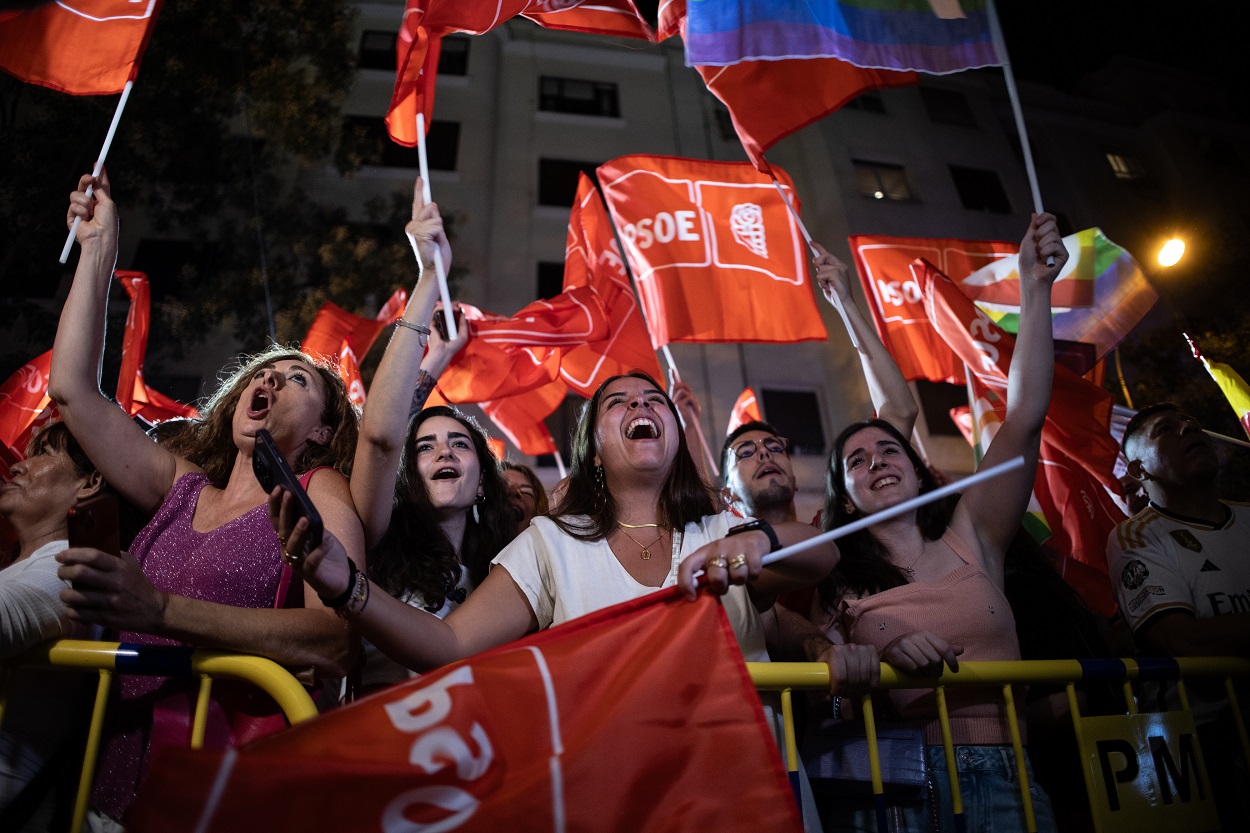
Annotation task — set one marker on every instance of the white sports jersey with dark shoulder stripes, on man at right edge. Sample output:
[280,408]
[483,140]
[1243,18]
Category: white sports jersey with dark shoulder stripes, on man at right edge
[1162,562]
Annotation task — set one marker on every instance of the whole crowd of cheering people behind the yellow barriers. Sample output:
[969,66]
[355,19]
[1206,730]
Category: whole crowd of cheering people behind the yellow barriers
[434,551]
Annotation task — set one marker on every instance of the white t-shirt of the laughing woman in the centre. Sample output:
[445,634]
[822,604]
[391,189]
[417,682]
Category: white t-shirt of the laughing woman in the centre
[566,578]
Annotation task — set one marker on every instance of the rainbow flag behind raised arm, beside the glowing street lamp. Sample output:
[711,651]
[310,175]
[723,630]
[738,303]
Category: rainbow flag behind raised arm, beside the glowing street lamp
[1101,296]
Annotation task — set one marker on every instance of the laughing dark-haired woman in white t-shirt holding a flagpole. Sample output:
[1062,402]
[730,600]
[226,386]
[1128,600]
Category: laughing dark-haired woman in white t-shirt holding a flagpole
[634,518]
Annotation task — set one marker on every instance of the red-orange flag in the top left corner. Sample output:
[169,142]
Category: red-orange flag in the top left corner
[78,47]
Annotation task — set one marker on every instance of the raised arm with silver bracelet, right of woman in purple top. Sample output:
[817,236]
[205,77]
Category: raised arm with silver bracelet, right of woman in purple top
[402,380]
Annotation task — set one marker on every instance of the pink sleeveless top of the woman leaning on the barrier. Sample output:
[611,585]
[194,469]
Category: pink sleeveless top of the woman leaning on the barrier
[964,608]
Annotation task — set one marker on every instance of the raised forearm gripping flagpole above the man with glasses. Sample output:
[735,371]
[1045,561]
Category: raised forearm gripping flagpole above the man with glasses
[892,397]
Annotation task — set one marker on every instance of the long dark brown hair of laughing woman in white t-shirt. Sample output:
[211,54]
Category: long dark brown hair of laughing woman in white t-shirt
[686,496]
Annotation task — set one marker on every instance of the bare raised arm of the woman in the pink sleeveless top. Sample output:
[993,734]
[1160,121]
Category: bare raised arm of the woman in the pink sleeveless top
[991,513]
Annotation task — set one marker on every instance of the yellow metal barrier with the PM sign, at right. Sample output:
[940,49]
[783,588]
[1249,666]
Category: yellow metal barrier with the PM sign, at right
[786,677]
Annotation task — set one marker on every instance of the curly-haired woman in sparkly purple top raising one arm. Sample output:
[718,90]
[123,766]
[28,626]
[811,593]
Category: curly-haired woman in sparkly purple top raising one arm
[208,570]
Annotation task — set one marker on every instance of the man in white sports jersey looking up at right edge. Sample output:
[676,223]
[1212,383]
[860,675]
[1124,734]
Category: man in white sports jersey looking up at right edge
[1182,575]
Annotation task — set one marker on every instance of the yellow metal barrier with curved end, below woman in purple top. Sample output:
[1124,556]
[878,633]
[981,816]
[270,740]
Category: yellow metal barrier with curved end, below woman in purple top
[108,659]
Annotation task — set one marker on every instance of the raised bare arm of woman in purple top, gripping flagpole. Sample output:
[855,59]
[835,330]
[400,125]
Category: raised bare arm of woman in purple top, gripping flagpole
[137,467]
